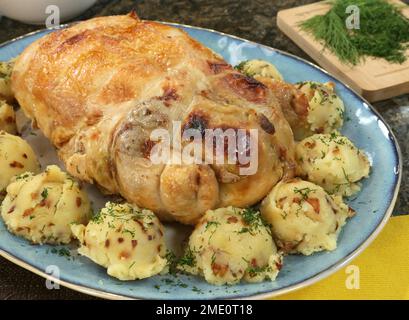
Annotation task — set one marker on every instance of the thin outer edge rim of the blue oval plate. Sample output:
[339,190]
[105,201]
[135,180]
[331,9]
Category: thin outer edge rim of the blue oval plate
[291,288]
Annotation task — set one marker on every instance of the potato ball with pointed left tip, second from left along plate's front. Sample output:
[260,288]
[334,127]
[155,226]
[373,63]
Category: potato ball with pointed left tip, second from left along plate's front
[126,240]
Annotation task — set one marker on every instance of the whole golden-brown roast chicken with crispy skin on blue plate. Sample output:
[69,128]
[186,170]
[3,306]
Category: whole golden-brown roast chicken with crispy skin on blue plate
[99,88]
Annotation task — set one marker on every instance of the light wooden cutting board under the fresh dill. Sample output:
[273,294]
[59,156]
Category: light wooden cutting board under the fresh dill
[374,79]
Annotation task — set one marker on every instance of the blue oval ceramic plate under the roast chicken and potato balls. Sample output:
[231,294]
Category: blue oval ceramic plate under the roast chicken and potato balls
[374,204]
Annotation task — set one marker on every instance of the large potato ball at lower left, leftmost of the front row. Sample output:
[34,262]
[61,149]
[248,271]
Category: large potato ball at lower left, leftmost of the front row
[41,207]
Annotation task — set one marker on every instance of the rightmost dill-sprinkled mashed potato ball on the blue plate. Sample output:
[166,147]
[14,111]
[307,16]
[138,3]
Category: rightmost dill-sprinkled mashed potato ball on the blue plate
[333,162]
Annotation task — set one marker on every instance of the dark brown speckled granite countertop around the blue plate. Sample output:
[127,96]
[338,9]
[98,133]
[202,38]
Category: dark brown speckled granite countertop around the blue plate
[254,20]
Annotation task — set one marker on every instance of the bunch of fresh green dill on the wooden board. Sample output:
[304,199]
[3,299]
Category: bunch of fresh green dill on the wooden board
[383,32]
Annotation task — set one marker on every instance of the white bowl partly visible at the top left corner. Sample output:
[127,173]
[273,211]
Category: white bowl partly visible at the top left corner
[34,11]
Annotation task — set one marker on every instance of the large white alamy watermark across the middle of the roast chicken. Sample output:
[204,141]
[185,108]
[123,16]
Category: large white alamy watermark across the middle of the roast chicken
[209,146]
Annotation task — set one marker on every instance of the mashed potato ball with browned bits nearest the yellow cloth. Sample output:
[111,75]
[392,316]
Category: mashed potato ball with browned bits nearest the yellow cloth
[303,217]
